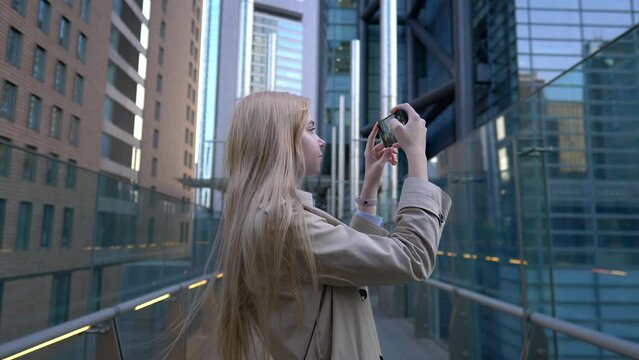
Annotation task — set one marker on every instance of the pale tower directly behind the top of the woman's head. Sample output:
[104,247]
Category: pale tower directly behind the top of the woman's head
[277,48]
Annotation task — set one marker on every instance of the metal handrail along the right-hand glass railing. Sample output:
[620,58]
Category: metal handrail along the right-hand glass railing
[608,342]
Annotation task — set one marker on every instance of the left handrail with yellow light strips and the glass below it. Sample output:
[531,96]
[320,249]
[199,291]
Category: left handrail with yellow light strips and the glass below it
[170,323]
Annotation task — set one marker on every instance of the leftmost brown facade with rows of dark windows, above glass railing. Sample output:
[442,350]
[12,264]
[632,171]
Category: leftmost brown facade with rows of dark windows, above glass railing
[53,78]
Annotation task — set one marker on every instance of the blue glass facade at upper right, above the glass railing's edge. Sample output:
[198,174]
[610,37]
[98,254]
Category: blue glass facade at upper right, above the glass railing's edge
[526,43]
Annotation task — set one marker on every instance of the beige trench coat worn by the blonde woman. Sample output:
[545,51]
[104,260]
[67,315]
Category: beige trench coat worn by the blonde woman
[348,259]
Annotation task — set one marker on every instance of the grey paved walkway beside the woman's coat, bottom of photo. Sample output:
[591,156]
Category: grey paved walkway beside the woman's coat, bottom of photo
[398,342]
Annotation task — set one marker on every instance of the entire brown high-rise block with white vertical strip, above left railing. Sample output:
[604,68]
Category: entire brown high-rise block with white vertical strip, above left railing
[63,62]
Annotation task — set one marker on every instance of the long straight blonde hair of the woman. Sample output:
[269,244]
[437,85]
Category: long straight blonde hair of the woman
[266,247]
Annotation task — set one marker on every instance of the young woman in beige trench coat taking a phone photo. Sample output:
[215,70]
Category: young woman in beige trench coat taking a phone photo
[295,277]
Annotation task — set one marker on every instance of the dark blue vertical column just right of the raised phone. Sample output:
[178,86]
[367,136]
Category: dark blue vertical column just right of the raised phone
[462,33]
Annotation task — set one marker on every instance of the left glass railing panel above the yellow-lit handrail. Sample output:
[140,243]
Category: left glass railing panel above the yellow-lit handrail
[73,242]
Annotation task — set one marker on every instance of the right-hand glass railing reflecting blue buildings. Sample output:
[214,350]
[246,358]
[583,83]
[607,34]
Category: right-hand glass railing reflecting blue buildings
[545,216]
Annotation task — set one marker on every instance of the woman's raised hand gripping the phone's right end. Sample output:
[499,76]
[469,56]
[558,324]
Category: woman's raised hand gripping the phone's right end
[412,139]
